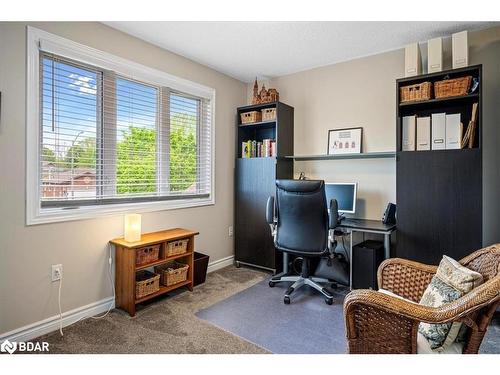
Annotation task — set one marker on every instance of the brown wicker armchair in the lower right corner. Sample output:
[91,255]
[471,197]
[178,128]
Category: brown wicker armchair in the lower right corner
[381,323]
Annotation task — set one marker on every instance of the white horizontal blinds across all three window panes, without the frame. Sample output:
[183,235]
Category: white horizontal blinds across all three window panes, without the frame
[109,139]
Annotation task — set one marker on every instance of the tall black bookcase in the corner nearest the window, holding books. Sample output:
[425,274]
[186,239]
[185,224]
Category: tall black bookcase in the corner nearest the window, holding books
[255,181]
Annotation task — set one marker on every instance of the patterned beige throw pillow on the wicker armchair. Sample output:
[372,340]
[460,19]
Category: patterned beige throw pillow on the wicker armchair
[451,281]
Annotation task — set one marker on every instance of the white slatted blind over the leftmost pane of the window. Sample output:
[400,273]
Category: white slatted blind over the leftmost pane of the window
[70,120]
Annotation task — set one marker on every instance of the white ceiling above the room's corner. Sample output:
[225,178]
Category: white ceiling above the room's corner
[245,50]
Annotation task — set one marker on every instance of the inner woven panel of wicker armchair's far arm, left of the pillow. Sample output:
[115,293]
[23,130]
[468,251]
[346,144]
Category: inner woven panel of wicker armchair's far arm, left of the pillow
[405,278]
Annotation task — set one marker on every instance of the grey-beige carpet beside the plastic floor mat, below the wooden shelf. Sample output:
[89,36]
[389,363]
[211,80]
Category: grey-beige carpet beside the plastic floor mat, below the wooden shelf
[167,325]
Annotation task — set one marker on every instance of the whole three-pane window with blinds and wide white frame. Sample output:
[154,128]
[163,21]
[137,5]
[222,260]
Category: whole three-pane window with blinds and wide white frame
[112,135]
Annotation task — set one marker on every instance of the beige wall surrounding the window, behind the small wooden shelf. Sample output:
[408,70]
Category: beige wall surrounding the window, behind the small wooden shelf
[26,253]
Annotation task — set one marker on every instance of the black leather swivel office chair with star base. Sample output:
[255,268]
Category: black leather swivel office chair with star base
[301,226]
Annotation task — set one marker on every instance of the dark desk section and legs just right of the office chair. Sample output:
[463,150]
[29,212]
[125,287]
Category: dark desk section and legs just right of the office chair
[367,226]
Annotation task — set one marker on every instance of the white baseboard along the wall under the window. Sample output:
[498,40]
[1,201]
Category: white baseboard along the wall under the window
[51,324]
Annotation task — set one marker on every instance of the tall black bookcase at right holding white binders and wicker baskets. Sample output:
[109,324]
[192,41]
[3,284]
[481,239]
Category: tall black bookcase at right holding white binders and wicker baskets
[439,192]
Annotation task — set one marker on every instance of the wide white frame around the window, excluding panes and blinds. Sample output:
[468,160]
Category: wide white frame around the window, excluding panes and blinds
[39,39]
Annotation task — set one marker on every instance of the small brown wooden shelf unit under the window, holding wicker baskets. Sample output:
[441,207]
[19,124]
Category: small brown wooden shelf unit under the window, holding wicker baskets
[126,267]
